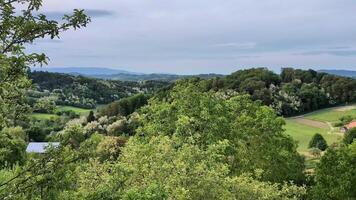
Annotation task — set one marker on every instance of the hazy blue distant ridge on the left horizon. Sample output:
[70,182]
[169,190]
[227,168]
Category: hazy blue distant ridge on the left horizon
[86,71]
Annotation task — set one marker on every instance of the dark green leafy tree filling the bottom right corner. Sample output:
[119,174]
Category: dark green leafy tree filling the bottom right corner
[336,174]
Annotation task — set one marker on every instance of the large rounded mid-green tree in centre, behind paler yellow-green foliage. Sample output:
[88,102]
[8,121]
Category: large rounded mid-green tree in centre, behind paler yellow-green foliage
[255,132]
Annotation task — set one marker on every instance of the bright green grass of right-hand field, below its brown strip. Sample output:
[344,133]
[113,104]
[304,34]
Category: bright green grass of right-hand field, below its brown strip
[303,134]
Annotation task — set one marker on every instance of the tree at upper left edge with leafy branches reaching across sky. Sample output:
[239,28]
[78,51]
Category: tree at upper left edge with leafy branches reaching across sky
[21,23]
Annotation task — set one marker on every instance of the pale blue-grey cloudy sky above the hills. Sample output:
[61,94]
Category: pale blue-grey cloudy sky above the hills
[205,36]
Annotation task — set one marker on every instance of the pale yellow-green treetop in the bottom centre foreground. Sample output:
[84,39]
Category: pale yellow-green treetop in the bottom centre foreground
[163,168]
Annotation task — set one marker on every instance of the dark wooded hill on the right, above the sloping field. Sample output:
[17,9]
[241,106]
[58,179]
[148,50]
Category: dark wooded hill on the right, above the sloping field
[292,92]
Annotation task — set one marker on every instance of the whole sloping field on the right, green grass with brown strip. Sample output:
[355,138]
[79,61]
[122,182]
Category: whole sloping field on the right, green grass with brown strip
[303,128]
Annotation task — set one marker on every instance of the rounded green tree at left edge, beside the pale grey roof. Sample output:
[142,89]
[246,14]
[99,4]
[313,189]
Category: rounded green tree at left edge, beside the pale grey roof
[12,147]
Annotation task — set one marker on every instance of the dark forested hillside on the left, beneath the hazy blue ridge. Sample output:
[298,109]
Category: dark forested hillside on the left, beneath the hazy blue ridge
[86,92]
